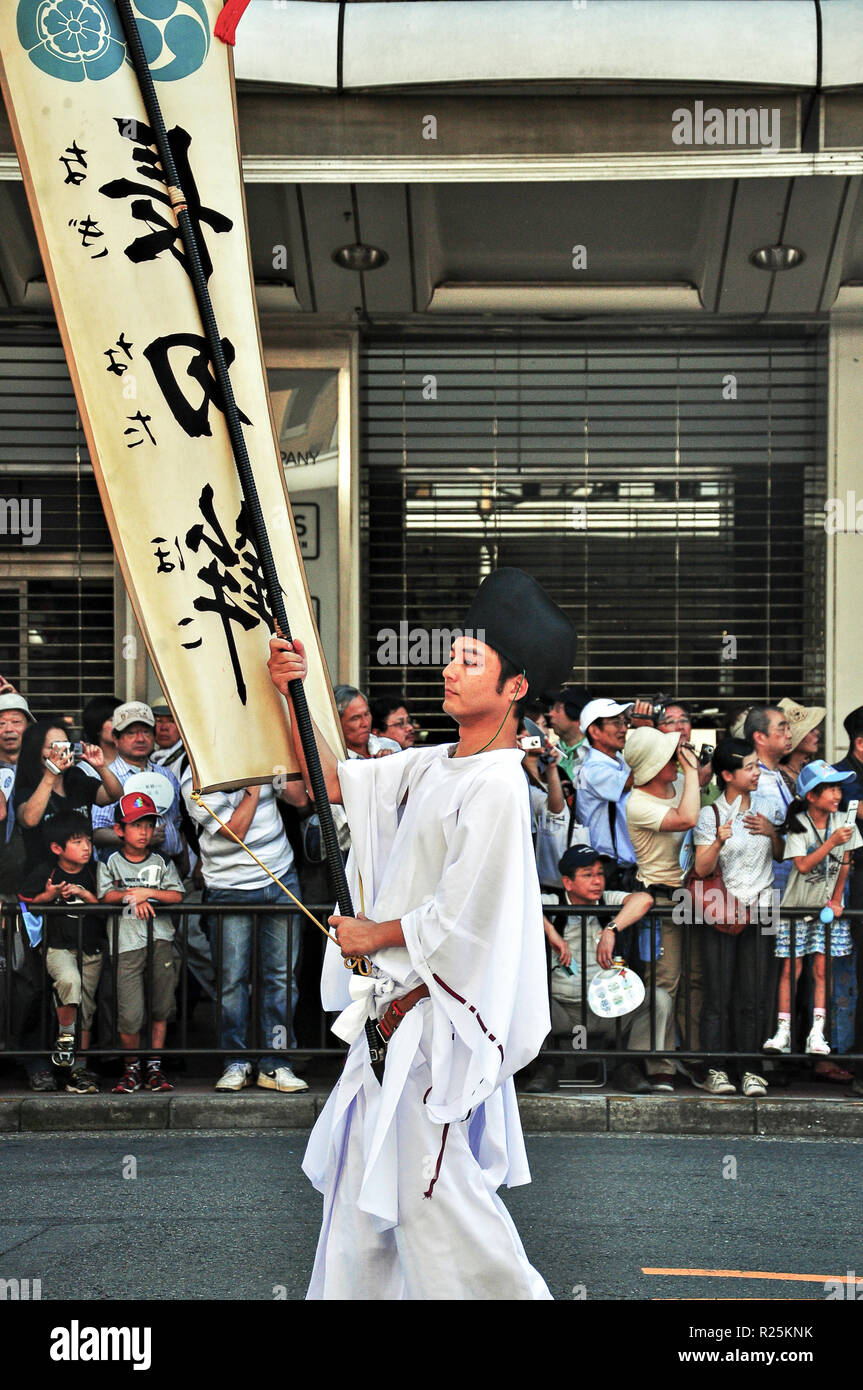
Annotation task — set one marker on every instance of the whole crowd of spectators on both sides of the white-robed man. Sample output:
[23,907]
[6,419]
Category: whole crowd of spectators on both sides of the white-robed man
[632,825]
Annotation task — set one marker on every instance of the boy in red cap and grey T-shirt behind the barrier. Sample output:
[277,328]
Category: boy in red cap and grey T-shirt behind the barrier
[138,878]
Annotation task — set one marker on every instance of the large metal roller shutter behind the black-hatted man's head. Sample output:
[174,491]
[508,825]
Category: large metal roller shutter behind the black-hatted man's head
[669,496]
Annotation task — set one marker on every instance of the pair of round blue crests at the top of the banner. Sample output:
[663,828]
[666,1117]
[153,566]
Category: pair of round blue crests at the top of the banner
[83,41]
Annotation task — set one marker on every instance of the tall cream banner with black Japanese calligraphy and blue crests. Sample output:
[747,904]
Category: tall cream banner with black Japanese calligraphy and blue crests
[135,348]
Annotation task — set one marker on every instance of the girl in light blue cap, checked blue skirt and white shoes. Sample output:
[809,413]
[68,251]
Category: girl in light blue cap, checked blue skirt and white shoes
[821,847]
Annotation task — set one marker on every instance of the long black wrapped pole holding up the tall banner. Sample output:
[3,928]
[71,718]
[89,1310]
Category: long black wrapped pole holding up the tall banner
[336,865]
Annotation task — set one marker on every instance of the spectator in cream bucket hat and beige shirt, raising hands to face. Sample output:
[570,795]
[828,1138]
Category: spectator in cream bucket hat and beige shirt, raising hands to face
[661,811]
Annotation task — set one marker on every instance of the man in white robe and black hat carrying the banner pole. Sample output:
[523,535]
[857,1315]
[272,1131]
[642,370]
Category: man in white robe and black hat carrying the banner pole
[444,865]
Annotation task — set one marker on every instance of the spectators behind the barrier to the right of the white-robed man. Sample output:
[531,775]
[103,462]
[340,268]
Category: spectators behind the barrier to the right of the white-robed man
[746,851]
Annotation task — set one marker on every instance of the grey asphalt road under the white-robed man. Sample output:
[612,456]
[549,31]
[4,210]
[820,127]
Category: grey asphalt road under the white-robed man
[215,1216]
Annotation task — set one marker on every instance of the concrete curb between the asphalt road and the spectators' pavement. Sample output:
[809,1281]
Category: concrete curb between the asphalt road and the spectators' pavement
[787,1117]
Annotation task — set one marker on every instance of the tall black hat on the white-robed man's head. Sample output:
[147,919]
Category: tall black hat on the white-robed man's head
[513,614]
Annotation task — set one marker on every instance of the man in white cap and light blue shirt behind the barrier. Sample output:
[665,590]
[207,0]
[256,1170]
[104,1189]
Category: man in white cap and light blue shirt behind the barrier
[604,786]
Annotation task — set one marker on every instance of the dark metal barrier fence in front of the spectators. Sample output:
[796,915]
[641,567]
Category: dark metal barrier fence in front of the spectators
[28,1024]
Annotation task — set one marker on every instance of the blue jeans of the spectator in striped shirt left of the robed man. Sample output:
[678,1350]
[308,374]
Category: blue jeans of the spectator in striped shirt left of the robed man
[238,929]
